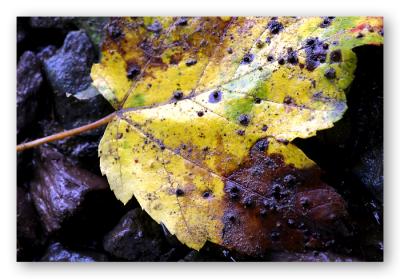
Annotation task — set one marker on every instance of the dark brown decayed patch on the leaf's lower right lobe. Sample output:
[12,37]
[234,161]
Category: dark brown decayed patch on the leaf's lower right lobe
[265,208]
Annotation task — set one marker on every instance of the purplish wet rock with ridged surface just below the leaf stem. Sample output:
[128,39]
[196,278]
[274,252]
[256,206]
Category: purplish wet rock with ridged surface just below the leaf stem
[59,187]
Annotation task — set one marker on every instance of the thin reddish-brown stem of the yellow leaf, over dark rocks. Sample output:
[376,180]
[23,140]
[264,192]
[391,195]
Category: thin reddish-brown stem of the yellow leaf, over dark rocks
[66,134]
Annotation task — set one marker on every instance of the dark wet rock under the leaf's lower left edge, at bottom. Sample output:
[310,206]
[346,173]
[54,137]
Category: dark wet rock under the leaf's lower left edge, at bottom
[136,238]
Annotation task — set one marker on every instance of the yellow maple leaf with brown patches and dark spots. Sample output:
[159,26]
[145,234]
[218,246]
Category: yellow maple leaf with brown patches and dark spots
[207,108]
